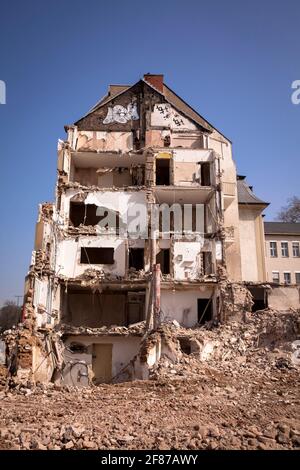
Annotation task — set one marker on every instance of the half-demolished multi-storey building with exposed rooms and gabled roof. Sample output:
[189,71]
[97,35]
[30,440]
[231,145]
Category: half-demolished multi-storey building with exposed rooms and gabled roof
[106,270]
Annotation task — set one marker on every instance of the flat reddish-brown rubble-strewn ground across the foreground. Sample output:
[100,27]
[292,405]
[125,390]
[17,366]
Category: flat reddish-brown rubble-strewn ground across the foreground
[217,411]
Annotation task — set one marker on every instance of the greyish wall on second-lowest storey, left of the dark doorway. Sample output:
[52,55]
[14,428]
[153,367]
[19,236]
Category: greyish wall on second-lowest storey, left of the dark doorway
[182,305]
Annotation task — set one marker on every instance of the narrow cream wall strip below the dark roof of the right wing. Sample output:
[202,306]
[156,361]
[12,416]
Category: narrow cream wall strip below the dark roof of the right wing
[248,246]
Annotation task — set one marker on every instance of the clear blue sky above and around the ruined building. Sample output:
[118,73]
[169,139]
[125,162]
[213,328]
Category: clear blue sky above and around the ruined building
[233,61]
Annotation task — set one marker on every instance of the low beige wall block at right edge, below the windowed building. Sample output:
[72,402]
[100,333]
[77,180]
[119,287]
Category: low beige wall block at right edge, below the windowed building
[282,298]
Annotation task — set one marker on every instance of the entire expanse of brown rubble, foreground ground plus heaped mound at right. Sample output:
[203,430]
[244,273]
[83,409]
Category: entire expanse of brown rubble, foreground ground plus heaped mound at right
[231,387]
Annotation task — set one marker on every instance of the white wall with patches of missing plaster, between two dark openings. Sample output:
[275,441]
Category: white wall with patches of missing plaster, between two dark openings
[187,259]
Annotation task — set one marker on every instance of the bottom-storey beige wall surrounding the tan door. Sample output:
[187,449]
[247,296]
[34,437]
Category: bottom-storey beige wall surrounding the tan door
[123,350]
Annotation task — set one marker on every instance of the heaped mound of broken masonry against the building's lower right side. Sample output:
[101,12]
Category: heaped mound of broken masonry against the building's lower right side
[259,342]
